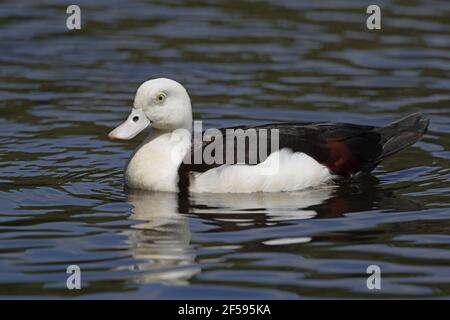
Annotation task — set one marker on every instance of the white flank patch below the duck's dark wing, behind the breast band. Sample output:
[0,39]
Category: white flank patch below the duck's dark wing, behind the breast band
[283,170]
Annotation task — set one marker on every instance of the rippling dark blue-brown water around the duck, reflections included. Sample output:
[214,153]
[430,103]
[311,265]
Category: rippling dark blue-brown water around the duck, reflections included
[61,188]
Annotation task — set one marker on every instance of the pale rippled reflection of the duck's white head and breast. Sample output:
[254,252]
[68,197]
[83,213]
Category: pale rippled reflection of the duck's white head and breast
[162,240]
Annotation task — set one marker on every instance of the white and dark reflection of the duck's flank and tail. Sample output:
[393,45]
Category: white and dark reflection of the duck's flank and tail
[325,202]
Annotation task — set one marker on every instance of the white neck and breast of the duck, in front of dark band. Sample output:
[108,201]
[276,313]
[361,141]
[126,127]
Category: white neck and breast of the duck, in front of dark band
[154,165]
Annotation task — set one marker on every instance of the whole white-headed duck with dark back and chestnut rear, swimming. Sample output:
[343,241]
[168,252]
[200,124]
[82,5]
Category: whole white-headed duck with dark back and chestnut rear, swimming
[284,157]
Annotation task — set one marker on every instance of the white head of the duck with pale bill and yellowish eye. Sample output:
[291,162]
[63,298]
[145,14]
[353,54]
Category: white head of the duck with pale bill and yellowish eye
[162,104]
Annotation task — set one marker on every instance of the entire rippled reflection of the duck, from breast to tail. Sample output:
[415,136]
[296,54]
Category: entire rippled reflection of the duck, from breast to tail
[161,239]
